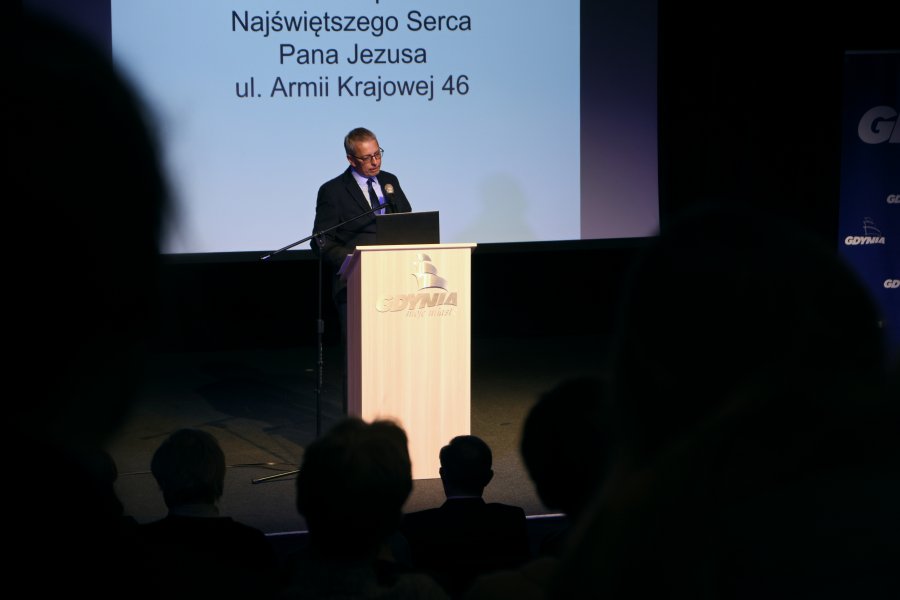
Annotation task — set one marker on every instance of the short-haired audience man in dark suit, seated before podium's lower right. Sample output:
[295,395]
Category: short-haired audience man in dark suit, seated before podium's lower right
[466,537]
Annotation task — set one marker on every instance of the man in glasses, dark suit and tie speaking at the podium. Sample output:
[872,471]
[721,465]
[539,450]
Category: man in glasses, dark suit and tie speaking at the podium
[343,215]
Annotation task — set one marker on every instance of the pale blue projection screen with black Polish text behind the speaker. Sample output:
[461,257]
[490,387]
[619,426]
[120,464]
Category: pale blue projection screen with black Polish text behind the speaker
[479,119]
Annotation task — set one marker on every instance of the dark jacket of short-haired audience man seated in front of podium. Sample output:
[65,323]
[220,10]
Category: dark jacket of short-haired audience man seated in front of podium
[465,538]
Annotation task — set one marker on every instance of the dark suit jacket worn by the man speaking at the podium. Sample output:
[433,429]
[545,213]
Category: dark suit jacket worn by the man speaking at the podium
[339,200]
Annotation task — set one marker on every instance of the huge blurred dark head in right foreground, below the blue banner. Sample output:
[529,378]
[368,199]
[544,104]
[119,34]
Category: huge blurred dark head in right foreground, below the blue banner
[726,303]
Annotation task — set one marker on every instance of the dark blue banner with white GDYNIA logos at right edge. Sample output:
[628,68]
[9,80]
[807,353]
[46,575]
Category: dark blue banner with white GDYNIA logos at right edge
[869,220]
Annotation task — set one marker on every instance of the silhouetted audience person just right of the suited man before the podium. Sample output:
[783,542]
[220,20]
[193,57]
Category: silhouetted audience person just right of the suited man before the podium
[567,444]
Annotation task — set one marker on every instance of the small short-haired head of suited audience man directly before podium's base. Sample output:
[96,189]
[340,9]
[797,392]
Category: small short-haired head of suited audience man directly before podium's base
[466,466]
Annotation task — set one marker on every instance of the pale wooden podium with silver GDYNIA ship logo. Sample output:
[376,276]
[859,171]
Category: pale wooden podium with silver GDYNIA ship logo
[409,343]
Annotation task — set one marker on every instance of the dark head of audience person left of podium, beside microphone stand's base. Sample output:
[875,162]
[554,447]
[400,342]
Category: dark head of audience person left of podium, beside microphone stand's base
[189,467]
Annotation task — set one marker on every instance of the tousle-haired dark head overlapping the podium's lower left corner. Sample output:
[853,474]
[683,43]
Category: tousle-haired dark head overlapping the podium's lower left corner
[352,485]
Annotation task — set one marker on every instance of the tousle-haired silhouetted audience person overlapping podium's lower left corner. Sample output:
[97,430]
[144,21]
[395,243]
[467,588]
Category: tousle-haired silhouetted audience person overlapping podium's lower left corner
[351,487]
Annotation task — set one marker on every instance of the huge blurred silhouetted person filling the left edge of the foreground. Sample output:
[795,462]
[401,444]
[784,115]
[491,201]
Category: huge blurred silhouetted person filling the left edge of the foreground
[86,199]
